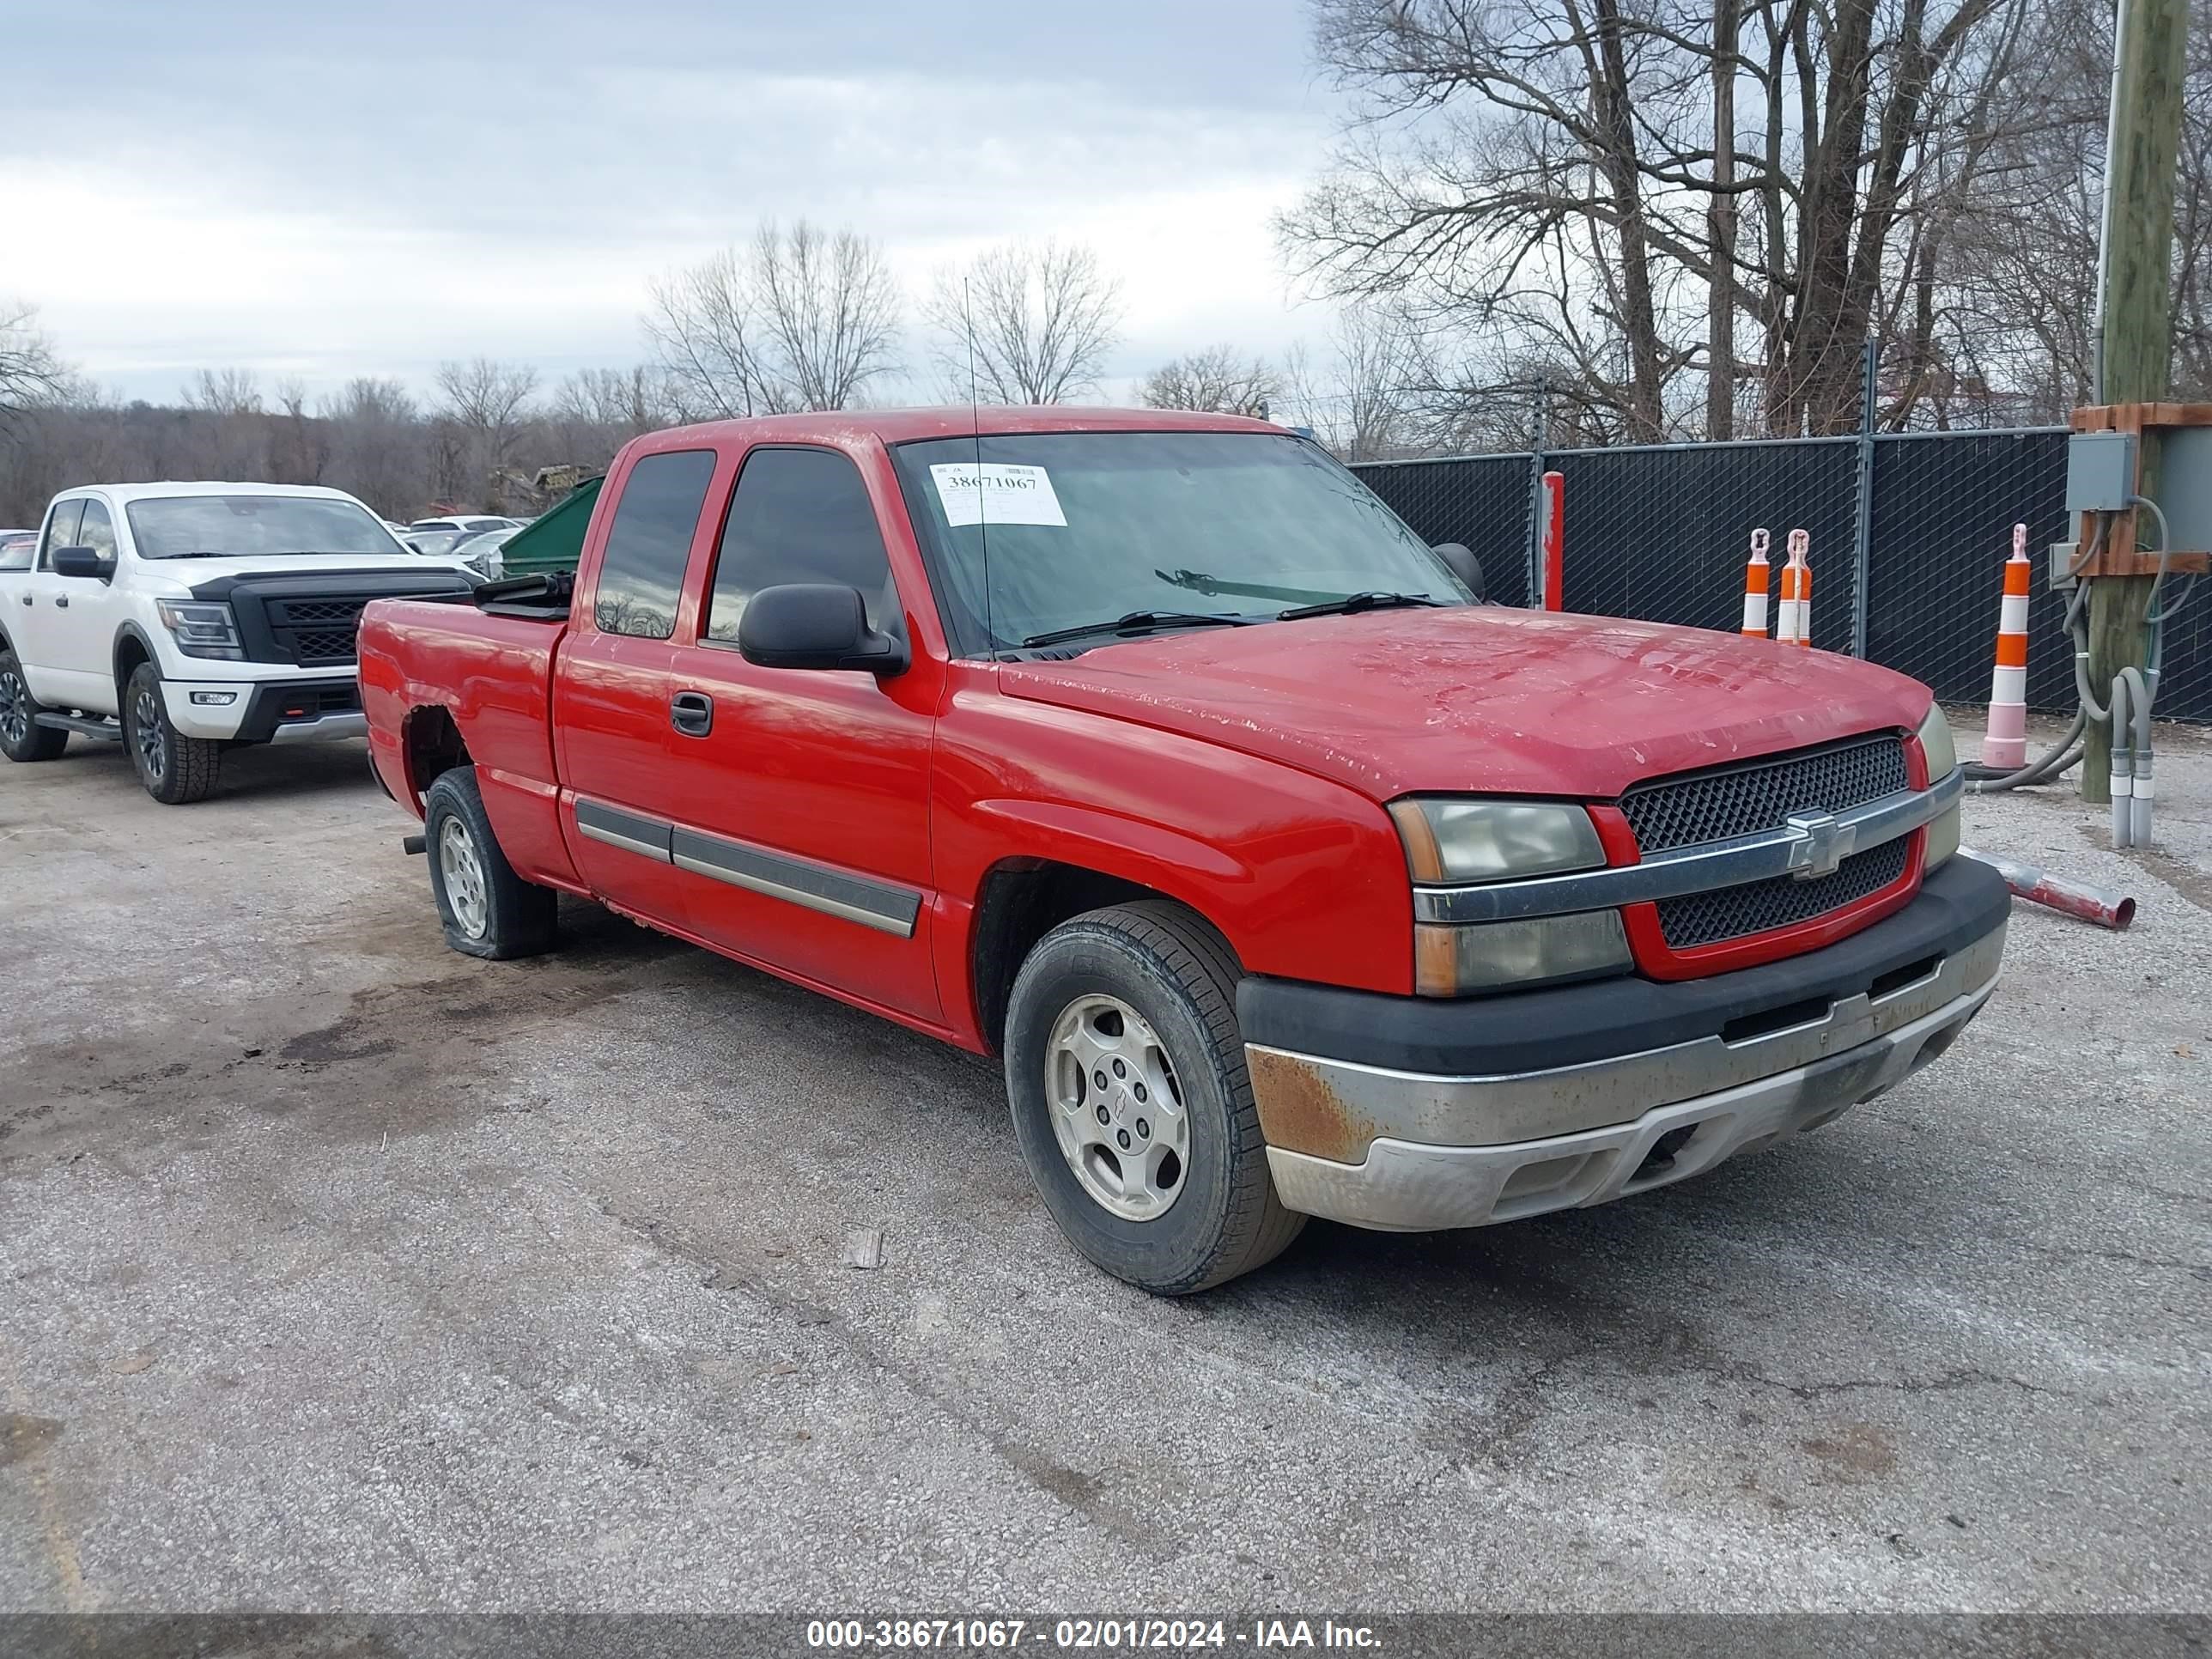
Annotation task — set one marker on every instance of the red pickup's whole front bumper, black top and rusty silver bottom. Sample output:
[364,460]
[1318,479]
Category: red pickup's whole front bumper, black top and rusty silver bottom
[1543,1100]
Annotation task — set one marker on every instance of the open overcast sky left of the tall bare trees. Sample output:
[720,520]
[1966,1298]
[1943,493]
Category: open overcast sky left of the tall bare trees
[371,189]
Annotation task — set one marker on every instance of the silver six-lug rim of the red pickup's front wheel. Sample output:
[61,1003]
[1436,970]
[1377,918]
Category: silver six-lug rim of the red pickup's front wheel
[1118,1109]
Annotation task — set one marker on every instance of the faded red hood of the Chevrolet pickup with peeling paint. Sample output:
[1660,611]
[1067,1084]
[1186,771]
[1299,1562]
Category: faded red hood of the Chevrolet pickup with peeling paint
[1481,698]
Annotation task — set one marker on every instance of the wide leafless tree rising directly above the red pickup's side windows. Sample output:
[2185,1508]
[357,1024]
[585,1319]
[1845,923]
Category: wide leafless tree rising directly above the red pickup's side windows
[800,320]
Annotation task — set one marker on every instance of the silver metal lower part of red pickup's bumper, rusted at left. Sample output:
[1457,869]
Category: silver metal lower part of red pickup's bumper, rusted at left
[1408,1151]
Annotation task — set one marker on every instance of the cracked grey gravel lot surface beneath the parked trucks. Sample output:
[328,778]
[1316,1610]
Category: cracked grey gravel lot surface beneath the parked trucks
[346,1273]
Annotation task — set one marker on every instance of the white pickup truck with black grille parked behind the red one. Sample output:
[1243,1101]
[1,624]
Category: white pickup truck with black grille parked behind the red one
[194,618]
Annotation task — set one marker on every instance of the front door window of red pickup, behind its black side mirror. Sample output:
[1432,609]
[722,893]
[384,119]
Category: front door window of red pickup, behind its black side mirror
[800,517]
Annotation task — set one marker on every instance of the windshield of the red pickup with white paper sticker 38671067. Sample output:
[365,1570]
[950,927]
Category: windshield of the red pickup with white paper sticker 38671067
[1085,528]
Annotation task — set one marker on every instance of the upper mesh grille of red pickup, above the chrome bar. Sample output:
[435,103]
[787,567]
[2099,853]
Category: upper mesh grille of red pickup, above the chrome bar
[1762,795]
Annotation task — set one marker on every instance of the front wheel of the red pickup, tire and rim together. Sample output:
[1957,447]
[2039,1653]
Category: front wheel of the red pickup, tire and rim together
[1131,1100]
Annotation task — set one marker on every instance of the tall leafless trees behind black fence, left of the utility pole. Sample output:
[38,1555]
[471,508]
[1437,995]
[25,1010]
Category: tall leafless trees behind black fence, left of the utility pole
[1609,189]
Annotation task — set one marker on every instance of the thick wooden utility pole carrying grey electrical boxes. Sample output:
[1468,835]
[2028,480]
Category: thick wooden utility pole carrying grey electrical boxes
[2136,320]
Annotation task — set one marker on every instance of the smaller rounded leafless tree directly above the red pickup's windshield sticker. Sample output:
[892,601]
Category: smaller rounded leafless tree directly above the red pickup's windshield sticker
[1025,322]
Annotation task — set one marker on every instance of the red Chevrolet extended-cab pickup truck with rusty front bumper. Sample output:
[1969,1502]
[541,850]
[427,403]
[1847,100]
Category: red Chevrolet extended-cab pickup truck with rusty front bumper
[1154,755]
